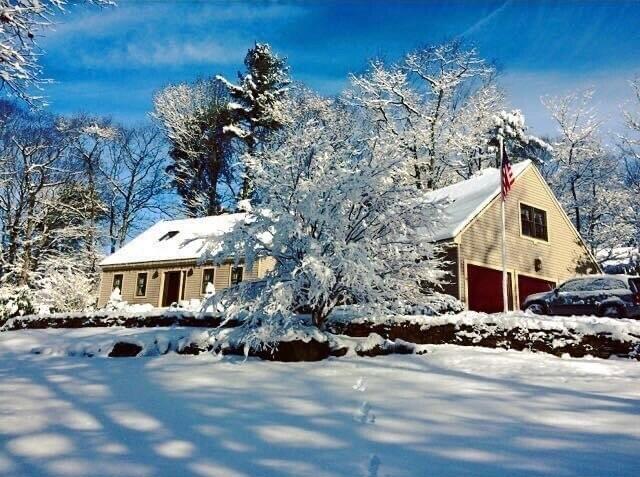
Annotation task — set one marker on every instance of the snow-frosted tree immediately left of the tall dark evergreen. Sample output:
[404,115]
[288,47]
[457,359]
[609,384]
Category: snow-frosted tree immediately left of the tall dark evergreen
[194,117]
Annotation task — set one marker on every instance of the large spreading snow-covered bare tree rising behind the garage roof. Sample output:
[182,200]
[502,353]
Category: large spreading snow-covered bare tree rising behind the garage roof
[438,101]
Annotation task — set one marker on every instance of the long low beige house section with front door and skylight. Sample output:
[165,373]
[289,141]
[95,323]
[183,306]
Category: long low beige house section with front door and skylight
[161,265]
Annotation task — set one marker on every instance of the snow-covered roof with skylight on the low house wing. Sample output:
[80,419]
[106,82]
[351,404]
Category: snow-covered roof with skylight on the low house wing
[160,243]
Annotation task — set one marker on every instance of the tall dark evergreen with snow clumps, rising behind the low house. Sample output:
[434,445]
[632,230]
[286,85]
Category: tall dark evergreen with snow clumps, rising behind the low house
[257,107]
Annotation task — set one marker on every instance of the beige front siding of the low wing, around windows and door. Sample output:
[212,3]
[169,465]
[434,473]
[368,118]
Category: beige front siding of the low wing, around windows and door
[192,276]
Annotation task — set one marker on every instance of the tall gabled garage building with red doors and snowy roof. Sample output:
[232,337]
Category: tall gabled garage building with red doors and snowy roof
[543,246]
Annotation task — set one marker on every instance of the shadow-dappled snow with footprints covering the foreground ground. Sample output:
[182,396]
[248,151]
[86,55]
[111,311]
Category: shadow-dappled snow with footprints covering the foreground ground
[454,411]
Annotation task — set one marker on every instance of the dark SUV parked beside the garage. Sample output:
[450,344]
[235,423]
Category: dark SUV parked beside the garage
[616,296]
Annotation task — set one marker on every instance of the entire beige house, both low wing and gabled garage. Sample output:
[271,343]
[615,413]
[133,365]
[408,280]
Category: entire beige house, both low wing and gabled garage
[160,266]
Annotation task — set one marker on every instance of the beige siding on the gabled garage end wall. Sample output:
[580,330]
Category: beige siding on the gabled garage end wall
[563,256]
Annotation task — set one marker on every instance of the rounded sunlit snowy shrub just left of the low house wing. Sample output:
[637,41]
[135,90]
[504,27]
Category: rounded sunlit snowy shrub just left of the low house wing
[67,290]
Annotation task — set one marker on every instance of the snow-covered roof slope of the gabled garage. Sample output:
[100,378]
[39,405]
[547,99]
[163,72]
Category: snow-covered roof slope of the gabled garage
[468,198]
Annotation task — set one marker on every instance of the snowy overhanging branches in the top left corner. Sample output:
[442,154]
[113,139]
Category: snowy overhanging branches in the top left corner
[21,21]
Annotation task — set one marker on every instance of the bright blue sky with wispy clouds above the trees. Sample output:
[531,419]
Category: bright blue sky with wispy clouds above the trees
[111,61]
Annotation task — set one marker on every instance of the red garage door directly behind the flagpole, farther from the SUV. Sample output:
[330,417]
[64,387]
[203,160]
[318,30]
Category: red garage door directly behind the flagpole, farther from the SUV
[484,289]
